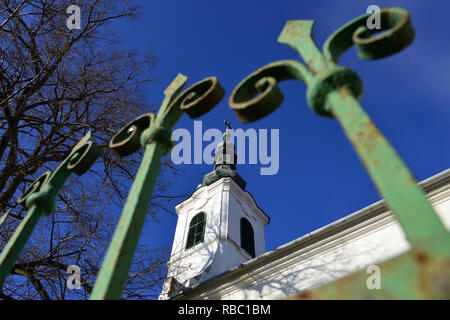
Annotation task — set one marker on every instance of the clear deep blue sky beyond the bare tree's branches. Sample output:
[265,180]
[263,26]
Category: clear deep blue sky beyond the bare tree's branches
[320,178]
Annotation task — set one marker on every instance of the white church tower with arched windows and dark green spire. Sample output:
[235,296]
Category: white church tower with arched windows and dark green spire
[219,226]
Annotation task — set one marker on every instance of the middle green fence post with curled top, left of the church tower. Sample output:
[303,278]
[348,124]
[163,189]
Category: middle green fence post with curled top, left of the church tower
[153,133]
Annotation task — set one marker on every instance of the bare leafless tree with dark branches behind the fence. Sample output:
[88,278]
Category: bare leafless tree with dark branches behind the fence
[55,85]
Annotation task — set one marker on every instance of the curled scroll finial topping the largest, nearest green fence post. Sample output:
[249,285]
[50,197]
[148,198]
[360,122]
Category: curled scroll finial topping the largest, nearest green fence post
[258,95]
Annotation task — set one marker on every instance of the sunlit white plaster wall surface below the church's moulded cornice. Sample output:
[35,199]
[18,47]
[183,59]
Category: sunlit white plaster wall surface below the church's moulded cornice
[315,266]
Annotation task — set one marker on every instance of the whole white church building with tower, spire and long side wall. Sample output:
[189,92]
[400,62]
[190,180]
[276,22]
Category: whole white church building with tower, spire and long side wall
[219,249]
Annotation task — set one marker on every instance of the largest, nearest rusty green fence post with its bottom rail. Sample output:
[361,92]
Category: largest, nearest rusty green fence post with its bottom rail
[334,91]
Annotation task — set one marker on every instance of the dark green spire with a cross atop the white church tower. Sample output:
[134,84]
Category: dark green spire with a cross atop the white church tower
[225,161]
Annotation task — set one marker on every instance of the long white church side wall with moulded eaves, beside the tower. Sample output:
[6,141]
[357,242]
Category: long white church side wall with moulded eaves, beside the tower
[327,254]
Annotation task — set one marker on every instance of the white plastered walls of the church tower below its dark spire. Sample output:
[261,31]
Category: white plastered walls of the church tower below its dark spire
[220,249]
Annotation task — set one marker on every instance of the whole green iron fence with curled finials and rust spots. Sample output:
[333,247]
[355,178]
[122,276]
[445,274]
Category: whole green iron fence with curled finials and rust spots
[332,91]
